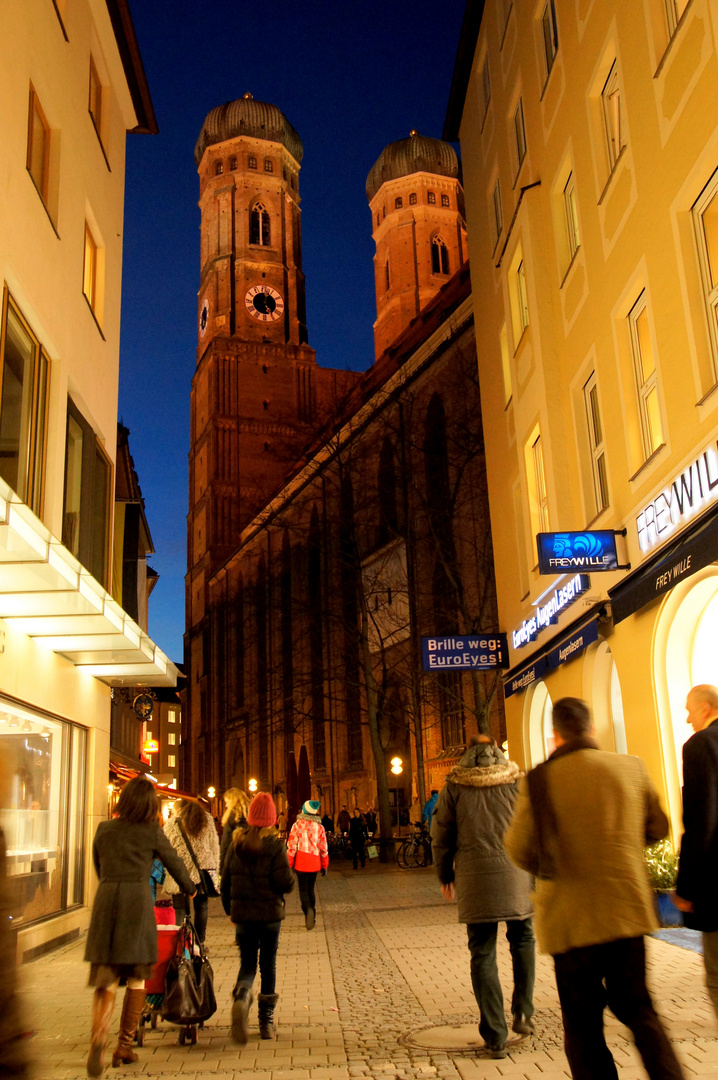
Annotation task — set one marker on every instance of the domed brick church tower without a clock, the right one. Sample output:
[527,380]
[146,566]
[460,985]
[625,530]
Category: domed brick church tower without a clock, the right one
[418,226]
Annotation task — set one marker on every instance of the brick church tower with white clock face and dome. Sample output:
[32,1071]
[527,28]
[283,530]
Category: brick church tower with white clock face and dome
[259,395]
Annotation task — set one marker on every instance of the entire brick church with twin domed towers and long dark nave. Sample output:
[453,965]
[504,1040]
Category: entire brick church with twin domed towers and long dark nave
[335,518]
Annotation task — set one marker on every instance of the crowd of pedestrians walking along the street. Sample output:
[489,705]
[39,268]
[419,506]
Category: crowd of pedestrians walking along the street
[560,854]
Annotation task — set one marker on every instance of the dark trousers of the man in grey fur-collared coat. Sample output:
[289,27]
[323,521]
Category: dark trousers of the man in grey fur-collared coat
[485,976]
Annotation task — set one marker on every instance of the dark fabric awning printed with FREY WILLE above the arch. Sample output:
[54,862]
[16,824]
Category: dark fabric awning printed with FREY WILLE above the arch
[694,549]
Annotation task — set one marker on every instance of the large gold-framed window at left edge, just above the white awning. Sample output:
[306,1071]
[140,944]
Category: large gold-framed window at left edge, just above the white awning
[23,408]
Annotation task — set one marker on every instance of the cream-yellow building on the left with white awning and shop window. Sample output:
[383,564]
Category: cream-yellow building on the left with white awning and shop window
[72,87]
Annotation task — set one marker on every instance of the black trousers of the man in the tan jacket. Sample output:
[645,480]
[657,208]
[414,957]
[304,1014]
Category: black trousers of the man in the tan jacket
[612,975]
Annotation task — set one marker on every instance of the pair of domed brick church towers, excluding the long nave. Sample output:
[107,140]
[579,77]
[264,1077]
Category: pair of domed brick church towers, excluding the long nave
[259,396]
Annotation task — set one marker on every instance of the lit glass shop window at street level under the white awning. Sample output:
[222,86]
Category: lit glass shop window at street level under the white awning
[43,809]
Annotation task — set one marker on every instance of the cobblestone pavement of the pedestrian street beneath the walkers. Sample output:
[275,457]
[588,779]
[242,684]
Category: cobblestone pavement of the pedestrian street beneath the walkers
[386,961]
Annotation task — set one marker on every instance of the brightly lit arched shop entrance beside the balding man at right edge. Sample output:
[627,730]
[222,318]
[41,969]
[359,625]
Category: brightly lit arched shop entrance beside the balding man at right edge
[685,655]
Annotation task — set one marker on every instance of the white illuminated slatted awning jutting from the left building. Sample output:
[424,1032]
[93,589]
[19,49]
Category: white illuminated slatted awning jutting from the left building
[48,596]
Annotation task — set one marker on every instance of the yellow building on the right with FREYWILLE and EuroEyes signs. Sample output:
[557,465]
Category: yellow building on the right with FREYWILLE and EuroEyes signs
[591,175]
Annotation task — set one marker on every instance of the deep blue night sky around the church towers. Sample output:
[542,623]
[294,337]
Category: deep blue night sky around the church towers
[351,78]
